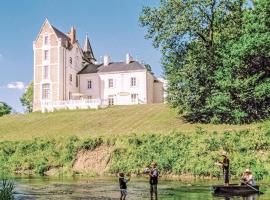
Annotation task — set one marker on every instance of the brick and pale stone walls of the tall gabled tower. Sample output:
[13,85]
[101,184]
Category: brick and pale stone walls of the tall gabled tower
[59,66]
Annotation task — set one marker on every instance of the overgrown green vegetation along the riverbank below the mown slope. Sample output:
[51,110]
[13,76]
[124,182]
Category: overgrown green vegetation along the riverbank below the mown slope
[176,153]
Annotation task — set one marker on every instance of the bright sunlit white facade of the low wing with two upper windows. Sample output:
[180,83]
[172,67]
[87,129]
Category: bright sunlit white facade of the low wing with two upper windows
[122,89]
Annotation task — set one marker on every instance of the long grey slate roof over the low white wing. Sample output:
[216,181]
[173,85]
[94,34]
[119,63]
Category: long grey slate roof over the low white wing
[112,67]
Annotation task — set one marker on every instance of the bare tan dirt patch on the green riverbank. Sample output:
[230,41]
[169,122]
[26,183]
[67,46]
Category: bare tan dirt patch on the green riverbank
[92,161]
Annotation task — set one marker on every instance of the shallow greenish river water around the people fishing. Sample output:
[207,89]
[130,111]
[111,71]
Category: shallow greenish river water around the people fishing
[107,189]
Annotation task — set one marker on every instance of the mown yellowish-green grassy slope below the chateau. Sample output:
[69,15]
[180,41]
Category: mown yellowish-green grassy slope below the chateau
[155,118]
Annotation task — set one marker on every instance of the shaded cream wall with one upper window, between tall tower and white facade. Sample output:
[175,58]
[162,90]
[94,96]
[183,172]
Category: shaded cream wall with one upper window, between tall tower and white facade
[95,91]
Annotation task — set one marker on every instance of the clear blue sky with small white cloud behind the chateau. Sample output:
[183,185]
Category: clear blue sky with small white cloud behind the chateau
[112,26]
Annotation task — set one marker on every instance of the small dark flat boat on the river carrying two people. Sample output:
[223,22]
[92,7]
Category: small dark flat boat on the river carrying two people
[236,190]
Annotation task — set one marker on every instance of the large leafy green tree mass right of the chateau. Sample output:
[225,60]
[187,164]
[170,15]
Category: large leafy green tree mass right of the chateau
[216,57]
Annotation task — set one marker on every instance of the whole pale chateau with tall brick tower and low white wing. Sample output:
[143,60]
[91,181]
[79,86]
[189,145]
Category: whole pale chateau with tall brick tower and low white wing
[67,76]
